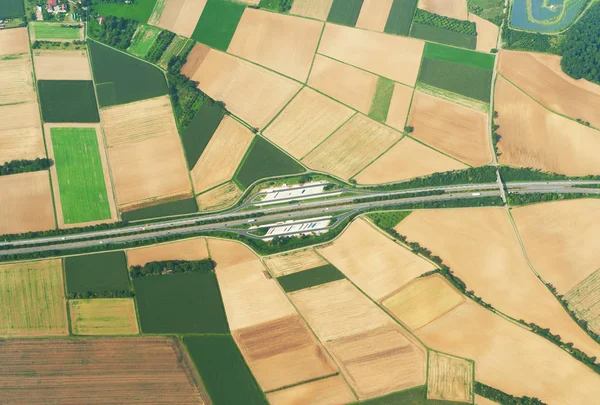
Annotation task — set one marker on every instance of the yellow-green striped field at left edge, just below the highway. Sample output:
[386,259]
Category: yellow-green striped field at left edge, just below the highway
[33,300]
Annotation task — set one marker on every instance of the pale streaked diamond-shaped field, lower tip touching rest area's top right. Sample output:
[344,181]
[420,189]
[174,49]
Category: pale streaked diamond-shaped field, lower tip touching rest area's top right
[352,147]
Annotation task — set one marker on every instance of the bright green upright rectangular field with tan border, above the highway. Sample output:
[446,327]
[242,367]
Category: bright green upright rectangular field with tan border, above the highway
[80,176]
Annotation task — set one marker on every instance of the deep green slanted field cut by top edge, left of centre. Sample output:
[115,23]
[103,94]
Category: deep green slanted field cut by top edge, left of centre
[218,23]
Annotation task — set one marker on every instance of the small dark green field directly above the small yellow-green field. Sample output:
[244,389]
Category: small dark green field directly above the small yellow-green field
[97,273]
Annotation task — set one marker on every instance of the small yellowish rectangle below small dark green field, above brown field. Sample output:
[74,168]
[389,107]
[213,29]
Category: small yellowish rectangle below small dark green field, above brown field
[105,316]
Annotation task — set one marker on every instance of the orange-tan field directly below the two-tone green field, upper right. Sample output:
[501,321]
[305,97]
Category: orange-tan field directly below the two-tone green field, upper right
[451,128]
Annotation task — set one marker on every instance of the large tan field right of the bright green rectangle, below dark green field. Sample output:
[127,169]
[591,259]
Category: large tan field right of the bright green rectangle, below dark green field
[145,152]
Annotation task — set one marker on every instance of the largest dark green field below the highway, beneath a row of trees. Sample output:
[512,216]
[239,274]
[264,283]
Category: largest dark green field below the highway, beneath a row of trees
[180,303]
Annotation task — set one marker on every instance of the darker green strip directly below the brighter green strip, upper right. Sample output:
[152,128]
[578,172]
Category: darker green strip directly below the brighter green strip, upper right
[462,79]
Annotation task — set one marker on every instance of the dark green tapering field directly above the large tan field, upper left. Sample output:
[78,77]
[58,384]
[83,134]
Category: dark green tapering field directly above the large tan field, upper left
[121,78]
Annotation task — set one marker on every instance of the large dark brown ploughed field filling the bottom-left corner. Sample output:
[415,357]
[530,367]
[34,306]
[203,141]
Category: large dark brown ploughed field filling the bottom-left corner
[96,371]
